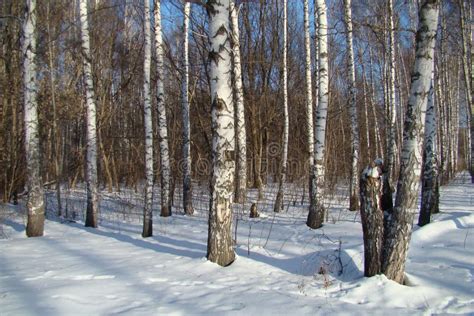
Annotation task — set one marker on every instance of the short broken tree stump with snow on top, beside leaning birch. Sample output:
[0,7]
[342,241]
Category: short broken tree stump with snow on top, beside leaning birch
[372,219]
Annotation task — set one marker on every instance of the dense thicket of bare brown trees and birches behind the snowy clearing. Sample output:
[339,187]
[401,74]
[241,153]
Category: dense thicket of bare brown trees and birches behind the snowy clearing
[97,87]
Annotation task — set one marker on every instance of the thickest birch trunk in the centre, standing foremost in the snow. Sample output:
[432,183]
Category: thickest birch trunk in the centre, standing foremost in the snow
[219,243]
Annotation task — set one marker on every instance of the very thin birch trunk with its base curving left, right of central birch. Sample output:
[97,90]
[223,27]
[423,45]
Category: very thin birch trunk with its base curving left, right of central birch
[284,158]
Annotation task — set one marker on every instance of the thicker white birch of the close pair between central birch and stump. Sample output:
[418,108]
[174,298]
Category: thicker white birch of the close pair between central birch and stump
[316,214]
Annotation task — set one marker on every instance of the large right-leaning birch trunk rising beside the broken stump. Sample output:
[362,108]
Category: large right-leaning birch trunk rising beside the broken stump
[400,225]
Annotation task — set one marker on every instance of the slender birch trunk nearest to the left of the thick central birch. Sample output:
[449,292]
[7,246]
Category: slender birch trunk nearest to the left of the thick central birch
[187,179]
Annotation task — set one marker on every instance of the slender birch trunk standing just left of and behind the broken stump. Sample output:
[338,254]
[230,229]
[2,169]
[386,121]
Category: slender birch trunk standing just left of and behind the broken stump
[354,181]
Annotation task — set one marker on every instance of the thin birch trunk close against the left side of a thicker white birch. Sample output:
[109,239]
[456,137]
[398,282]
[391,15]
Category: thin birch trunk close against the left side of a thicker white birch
[309,115]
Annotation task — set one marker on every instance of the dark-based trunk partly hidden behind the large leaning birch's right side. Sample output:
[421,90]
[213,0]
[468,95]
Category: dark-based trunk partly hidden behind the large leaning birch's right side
[429,198]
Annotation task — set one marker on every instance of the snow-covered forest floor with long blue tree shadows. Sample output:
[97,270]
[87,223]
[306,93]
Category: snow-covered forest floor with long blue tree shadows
[282,266]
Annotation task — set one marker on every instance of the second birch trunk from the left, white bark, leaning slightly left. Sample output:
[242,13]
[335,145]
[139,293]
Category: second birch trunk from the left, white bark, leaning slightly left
[91,156]
